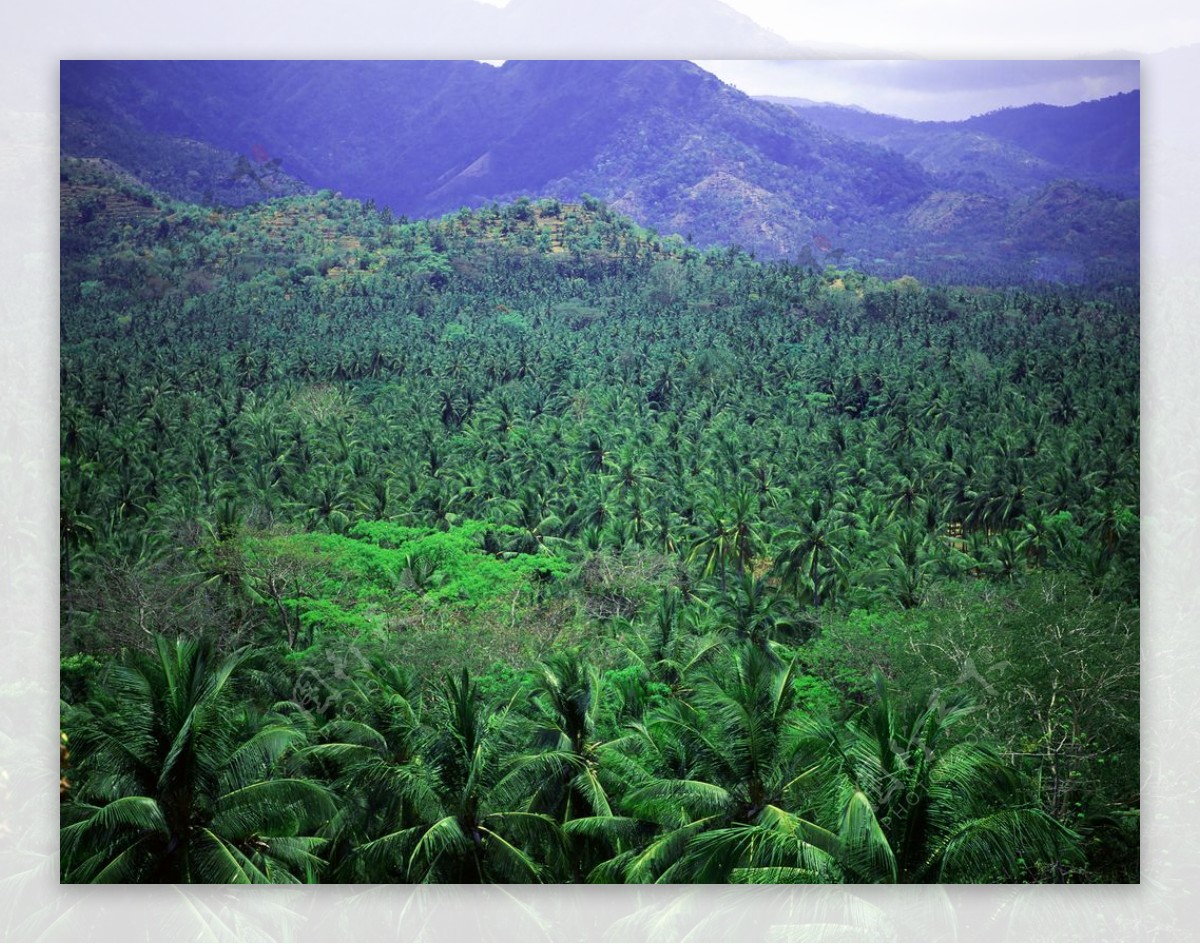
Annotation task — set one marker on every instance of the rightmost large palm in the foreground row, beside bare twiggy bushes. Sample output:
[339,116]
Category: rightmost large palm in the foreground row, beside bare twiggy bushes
[916,799]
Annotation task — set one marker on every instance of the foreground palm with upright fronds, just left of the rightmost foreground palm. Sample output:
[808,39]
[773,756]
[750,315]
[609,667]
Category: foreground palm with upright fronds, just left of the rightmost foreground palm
[721,779]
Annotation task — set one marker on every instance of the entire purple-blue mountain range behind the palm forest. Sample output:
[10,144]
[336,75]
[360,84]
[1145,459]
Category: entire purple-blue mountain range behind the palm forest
[664,142]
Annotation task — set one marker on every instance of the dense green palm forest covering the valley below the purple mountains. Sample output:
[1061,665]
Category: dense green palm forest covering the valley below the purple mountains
[526,545]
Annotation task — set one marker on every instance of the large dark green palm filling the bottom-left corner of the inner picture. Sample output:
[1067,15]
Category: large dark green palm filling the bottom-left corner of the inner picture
[182,785]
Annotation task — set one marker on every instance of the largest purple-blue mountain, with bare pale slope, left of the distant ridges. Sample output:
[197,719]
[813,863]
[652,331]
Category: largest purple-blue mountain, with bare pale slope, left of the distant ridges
[665,141]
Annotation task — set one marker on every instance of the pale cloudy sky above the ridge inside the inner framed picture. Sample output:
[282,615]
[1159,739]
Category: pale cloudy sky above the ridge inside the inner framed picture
[931,91]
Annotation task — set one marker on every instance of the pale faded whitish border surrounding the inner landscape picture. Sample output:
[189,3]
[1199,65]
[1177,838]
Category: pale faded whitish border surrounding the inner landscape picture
[32,904]
